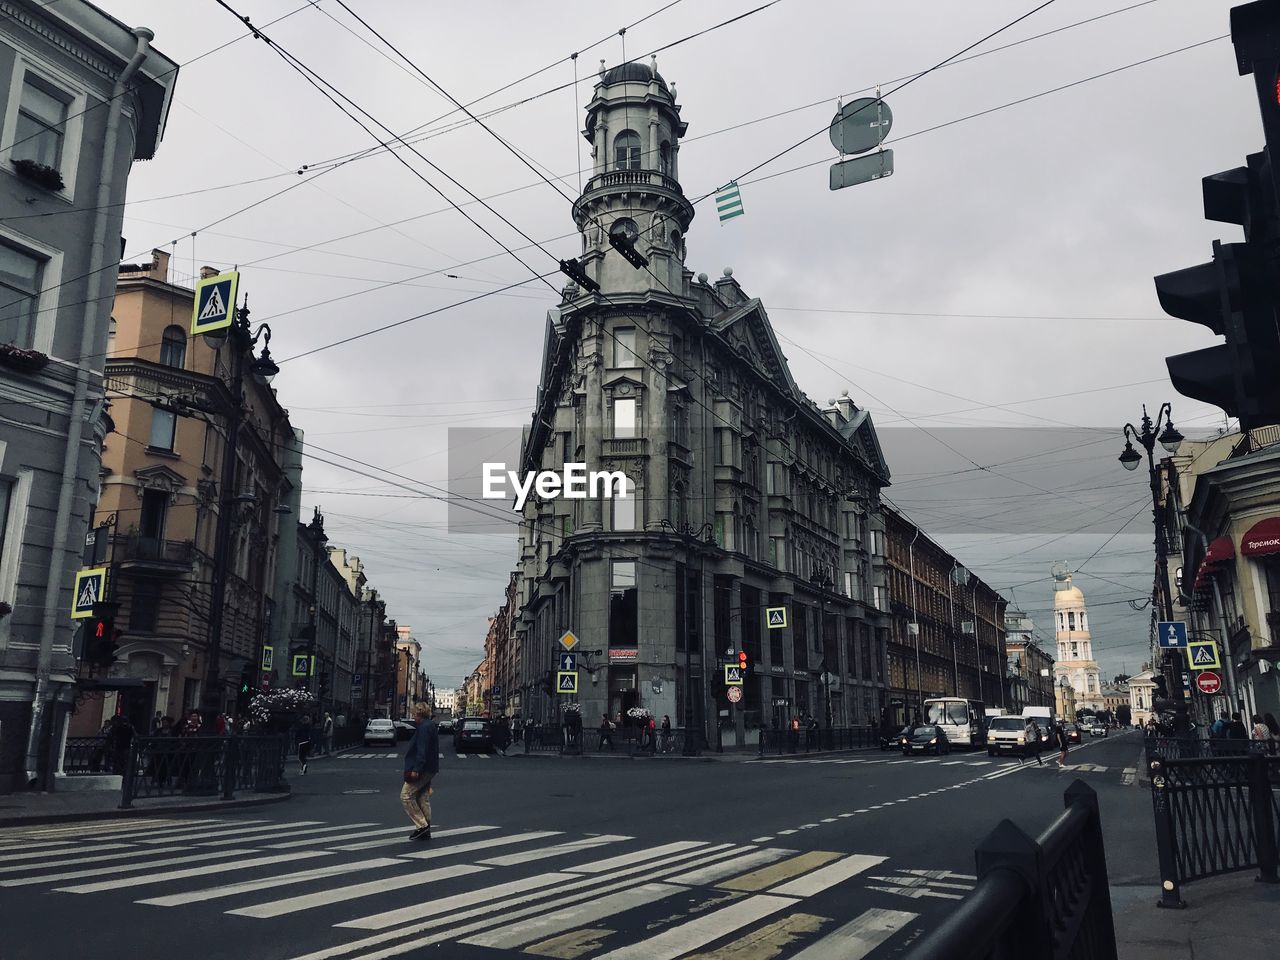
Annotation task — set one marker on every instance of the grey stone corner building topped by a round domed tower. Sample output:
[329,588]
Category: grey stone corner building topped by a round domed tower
[742,493]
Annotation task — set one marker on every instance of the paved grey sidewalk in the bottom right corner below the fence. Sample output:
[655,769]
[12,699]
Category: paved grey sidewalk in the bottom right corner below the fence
[1227,918]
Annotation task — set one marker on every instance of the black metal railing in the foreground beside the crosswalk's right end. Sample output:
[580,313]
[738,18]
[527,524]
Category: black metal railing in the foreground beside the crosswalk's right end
[1045,898]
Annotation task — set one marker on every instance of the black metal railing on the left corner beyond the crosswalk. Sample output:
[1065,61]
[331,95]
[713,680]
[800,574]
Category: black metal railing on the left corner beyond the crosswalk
[203,767]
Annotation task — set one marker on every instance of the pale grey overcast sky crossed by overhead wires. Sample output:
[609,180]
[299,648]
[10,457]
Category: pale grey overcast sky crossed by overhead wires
[1002,277]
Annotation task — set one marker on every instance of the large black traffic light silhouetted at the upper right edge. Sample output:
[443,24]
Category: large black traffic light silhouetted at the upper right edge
[1236,295]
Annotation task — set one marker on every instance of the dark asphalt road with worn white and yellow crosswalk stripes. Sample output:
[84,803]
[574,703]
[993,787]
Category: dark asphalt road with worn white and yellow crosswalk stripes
[579,858]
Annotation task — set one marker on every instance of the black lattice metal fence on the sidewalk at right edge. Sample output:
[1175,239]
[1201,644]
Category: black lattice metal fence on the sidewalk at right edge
[1214,815]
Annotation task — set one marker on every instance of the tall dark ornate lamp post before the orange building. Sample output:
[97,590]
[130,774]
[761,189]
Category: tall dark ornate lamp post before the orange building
[243,342]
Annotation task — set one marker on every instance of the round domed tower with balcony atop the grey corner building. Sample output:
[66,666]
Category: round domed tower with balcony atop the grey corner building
[634,127]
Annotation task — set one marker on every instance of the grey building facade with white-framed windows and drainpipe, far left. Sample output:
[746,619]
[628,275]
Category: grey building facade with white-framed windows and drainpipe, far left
[63,173]
